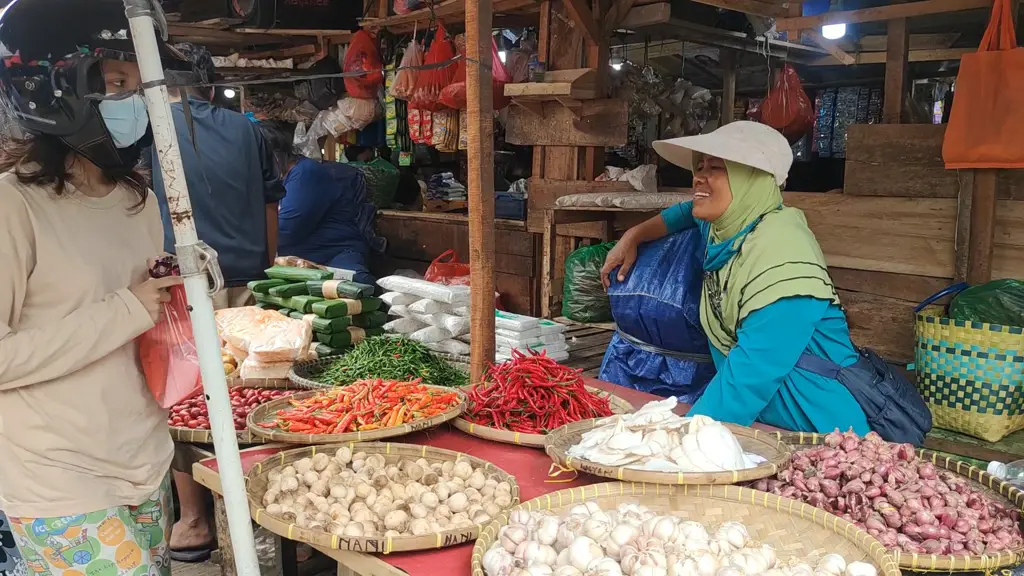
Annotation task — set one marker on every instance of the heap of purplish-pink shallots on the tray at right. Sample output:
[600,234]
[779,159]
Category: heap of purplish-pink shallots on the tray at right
[906,503]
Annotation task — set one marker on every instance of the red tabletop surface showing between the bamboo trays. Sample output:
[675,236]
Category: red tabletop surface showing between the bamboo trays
[529,466]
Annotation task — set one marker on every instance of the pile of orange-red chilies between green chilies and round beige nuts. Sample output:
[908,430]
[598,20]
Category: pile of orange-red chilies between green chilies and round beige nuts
[366,405]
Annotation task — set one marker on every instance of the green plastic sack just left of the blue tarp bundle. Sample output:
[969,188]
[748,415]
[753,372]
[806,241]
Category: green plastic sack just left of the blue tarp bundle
[584,299]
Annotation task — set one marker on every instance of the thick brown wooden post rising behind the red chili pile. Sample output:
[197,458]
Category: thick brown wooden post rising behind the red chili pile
[482,186]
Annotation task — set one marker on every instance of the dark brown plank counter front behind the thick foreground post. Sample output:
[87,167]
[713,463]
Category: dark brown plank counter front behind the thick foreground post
[414,243]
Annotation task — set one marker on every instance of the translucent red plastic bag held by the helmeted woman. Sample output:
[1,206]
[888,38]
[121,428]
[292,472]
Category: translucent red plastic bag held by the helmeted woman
[167,351]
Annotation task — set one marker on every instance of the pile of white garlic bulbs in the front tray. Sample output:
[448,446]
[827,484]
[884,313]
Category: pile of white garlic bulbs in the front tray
[634,542]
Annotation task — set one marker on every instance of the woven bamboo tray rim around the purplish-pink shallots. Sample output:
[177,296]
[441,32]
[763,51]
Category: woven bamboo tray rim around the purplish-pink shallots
[979,479]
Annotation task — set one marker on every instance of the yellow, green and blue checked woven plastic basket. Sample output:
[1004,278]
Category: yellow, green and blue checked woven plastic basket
[970,374]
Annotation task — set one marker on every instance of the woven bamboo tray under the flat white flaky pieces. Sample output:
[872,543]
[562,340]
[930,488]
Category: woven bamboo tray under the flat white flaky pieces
[766,445]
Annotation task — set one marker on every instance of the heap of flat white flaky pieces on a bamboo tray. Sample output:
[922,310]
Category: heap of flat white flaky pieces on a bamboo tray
[656,439]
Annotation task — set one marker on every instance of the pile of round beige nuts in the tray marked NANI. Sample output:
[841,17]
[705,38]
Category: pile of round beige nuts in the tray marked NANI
[363,496]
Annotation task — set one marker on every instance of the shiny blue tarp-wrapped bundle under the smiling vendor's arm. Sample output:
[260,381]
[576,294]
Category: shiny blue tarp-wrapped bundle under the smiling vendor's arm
[660,305]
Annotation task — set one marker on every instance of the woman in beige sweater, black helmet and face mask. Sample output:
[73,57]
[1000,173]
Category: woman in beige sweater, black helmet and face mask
[84,447]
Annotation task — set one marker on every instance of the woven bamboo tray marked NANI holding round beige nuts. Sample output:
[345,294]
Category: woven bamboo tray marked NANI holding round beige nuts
[258,481]
